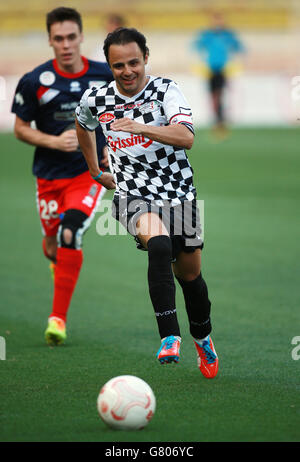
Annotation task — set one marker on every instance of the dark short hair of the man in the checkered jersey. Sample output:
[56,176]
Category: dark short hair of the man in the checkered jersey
[122,36]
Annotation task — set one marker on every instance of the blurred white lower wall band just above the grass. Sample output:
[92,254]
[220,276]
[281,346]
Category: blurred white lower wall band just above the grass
[251,100]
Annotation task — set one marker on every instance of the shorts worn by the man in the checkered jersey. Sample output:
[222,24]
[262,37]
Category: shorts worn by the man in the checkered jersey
[182,221]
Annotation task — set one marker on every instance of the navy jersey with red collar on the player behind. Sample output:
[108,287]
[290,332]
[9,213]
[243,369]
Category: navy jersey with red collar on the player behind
[49,96]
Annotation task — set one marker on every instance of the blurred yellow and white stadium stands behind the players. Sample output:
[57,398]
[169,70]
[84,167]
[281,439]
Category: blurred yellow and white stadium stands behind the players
[260,80]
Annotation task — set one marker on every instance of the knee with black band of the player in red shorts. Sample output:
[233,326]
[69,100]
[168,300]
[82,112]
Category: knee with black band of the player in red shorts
[72,228]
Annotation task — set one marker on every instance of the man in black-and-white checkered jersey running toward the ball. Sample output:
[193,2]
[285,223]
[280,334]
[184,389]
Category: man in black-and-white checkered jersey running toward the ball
[148,125]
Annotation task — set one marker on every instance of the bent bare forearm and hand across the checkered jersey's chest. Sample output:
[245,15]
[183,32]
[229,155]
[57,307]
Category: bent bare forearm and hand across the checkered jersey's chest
[173,135]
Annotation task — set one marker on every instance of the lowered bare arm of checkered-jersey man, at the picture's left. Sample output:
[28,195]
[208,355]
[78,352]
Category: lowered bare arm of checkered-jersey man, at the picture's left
[87,142]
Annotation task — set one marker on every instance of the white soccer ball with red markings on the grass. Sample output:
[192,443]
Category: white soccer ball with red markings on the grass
[126,403]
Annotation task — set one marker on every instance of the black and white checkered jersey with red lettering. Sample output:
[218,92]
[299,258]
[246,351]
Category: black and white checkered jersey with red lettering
[143,167]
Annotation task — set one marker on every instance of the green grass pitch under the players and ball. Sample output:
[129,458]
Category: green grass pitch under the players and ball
[250,185]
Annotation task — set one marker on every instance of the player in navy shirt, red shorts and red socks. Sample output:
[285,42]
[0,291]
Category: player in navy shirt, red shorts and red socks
[67,196]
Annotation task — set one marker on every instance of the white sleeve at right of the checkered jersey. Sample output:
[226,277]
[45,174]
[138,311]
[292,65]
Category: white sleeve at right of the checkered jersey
[176,107]
